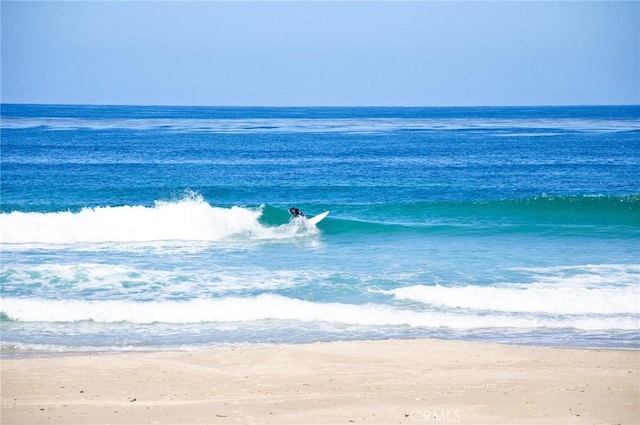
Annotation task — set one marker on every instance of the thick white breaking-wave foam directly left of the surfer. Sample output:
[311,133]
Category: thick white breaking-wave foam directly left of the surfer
[190,219]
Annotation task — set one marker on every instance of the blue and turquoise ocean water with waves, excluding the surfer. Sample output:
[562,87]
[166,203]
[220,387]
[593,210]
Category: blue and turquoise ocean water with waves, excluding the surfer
[135,228]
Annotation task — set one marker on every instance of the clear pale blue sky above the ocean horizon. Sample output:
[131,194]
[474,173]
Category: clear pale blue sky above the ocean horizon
[323,53]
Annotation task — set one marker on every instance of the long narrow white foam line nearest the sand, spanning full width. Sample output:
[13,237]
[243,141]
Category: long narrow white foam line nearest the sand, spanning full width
[276,307]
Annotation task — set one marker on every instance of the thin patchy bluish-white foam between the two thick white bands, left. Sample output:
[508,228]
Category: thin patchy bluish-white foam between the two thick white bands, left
[140,284]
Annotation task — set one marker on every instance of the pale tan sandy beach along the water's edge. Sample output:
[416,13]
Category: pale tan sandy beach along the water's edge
[384,382]
